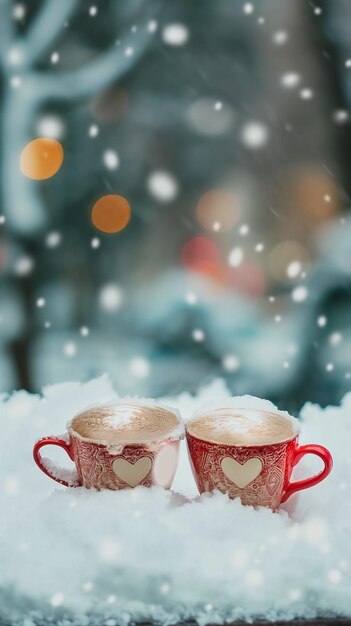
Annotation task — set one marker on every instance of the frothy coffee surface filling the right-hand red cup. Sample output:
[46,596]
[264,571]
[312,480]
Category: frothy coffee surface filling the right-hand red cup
[246,427]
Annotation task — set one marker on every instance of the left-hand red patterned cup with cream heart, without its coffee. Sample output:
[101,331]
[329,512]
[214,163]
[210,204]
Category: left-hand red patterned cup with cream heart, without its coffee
[111,465]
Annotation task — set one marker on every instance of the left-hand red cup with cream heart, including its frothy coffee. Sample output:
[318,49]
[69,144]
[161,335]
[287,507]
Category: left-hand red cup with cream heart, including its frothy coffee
[123,443]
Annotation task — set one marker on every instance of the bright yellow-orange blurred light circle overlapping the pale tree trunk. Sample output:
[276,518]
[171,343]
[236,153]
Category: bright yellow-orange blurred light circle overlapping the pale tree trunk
[41,158]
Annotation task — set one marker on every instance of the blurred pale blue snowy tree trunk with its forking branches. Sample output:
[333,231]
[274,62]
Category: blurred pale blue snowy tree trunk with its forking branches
[21,200]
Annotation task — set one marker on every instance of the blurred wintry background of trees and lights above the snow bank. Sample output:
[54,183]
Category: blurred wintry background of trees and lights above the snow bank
[221,131]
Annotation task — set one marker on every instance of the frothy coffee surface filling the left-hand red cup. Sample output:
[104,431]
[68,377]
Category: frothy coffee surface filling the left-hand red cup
[125,422]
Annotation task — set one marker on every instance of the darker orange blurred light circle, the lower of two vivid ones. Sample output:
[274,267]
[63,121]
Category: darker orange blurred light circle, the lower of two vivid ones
[111,213]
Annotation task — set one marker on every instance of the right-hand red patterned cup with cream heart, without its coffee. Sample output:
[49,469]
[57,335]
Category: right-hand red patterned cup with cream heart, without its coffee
[258,475]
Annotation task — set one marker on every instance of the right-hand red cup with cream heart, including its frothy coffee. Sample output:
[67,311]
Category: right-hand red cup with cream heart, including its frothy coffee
[249,452]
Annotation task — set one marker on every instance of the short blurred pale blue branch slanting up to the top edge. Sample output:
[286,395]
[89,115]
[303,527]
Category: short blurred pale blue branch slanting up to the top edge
[45,29]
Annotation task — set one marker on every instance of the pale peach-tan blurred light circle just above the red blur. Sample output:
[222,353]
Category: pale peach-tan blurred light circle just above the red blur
[217,210]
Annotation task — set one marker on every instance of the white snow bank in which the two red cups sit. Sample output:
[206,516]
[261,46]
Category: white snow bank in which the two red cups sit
[147,554]
